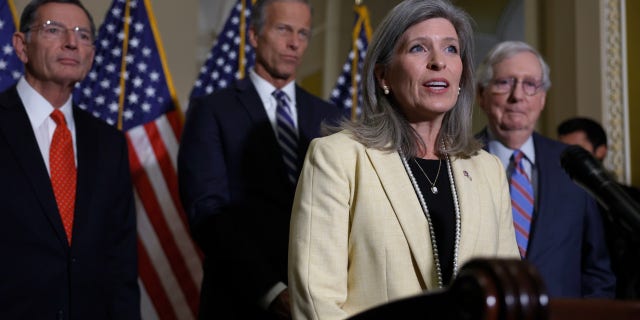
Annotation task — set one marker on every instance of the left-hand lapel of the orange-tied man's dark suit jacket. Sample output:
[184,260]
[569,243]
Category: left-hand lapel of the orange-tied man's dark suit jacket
[15,126]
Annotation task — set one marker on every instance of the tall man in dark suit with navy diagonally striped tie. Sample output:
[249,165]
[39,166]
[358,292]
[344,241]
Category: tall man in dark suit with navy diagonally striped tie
[238,168]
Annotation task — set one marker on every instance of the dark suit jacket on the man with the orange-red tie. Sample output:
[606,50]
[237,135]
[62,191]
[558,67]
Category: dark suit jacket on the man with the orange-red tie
[42,277]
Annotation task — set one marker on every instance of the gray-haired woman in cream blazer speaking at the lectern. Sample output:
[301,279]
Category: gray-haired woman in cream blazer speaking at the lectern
[363,219]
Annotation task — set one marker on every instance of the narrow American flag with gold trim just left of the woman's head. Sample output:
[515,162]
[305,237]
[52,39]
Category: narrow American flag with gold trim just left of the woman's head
[347,94]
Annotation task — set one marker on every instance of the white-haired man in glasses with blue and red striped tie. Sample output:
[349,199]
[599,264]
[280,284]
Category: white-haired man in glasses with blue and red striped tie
[565,234]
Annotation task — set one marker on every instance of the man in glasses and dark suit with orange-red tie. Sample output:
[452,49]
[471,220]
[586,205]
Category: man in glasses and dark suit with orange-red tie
[68,230]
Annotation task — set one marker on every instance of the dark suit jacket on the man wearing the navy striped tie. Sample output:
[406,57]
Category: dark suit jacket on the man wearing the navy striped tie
[237,196]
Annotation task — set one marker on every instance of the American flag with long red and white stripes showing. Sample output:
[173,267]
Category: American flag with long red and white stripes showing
[130,87]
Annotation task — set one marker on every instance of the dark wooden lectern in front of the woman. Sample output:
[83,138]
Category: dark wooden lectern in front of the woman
[499,289]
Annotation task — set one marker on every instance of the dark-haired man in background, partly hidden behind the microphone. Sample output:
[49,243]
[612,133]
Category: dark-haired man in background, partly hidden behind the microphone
[622,240]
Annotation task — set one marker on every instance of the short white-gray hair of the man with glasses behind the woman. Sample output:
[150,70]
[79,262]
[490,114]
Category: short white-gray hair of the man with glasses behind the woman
[506,50]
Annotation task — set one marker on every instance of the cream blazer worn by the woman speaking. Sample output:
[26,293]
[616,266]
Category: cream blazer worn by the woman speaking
[359,237]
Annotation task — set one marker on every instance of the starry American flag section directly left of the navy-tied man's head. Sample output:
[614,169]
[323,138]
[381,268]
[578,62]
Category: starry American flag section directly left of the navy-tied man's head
[231,55]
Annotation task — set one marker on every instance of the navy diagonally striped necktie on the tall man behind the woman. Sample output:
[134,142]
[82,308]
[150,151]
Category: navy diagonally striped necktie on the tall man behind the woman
[287,135]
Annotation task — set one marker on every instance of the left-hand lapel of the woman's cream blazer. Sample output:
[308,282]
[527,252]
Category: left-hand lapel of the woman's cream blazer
[406,206]
